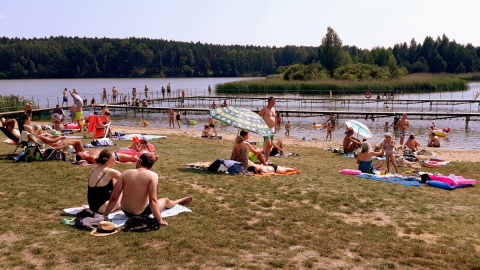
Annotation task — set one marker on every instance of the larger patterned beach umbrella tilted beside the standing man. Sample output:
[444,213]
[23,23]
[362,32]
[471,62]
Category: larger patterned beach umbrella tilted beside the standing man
[241,118]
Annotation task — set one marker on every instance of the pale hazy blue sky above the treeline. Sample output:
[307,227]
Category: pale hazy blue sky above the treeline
[363,23]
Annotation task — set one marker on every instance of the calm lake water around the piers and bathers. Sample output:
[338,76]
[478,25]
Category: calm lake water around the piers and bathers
[48,92]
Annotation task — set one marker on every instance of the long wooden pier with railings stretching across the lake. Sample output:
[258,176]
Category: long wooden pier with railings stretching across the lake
[299,107]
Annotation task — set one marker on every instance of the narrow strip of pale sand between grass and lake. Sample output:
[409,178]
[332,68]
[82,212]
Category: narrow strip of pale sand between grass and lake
[462,155]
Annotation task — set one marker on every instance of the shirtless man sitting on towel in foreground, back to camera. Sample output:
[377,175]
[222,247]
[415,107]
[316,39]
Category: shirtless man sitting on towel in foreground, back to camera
[139,189]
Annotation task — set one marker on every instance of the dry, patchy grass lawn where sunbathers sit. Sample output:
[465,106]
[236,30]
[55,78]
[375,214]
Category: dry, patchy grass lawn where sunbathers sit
[318,219]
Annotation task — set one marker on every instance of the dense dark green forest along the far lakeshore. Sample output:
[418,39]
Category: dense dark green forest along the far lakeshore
[74,57]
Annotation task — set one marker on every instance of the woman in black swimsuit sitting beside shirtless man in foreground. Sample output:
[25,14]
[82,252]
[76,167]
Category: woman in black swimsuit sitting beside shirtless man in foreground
[101,182]
